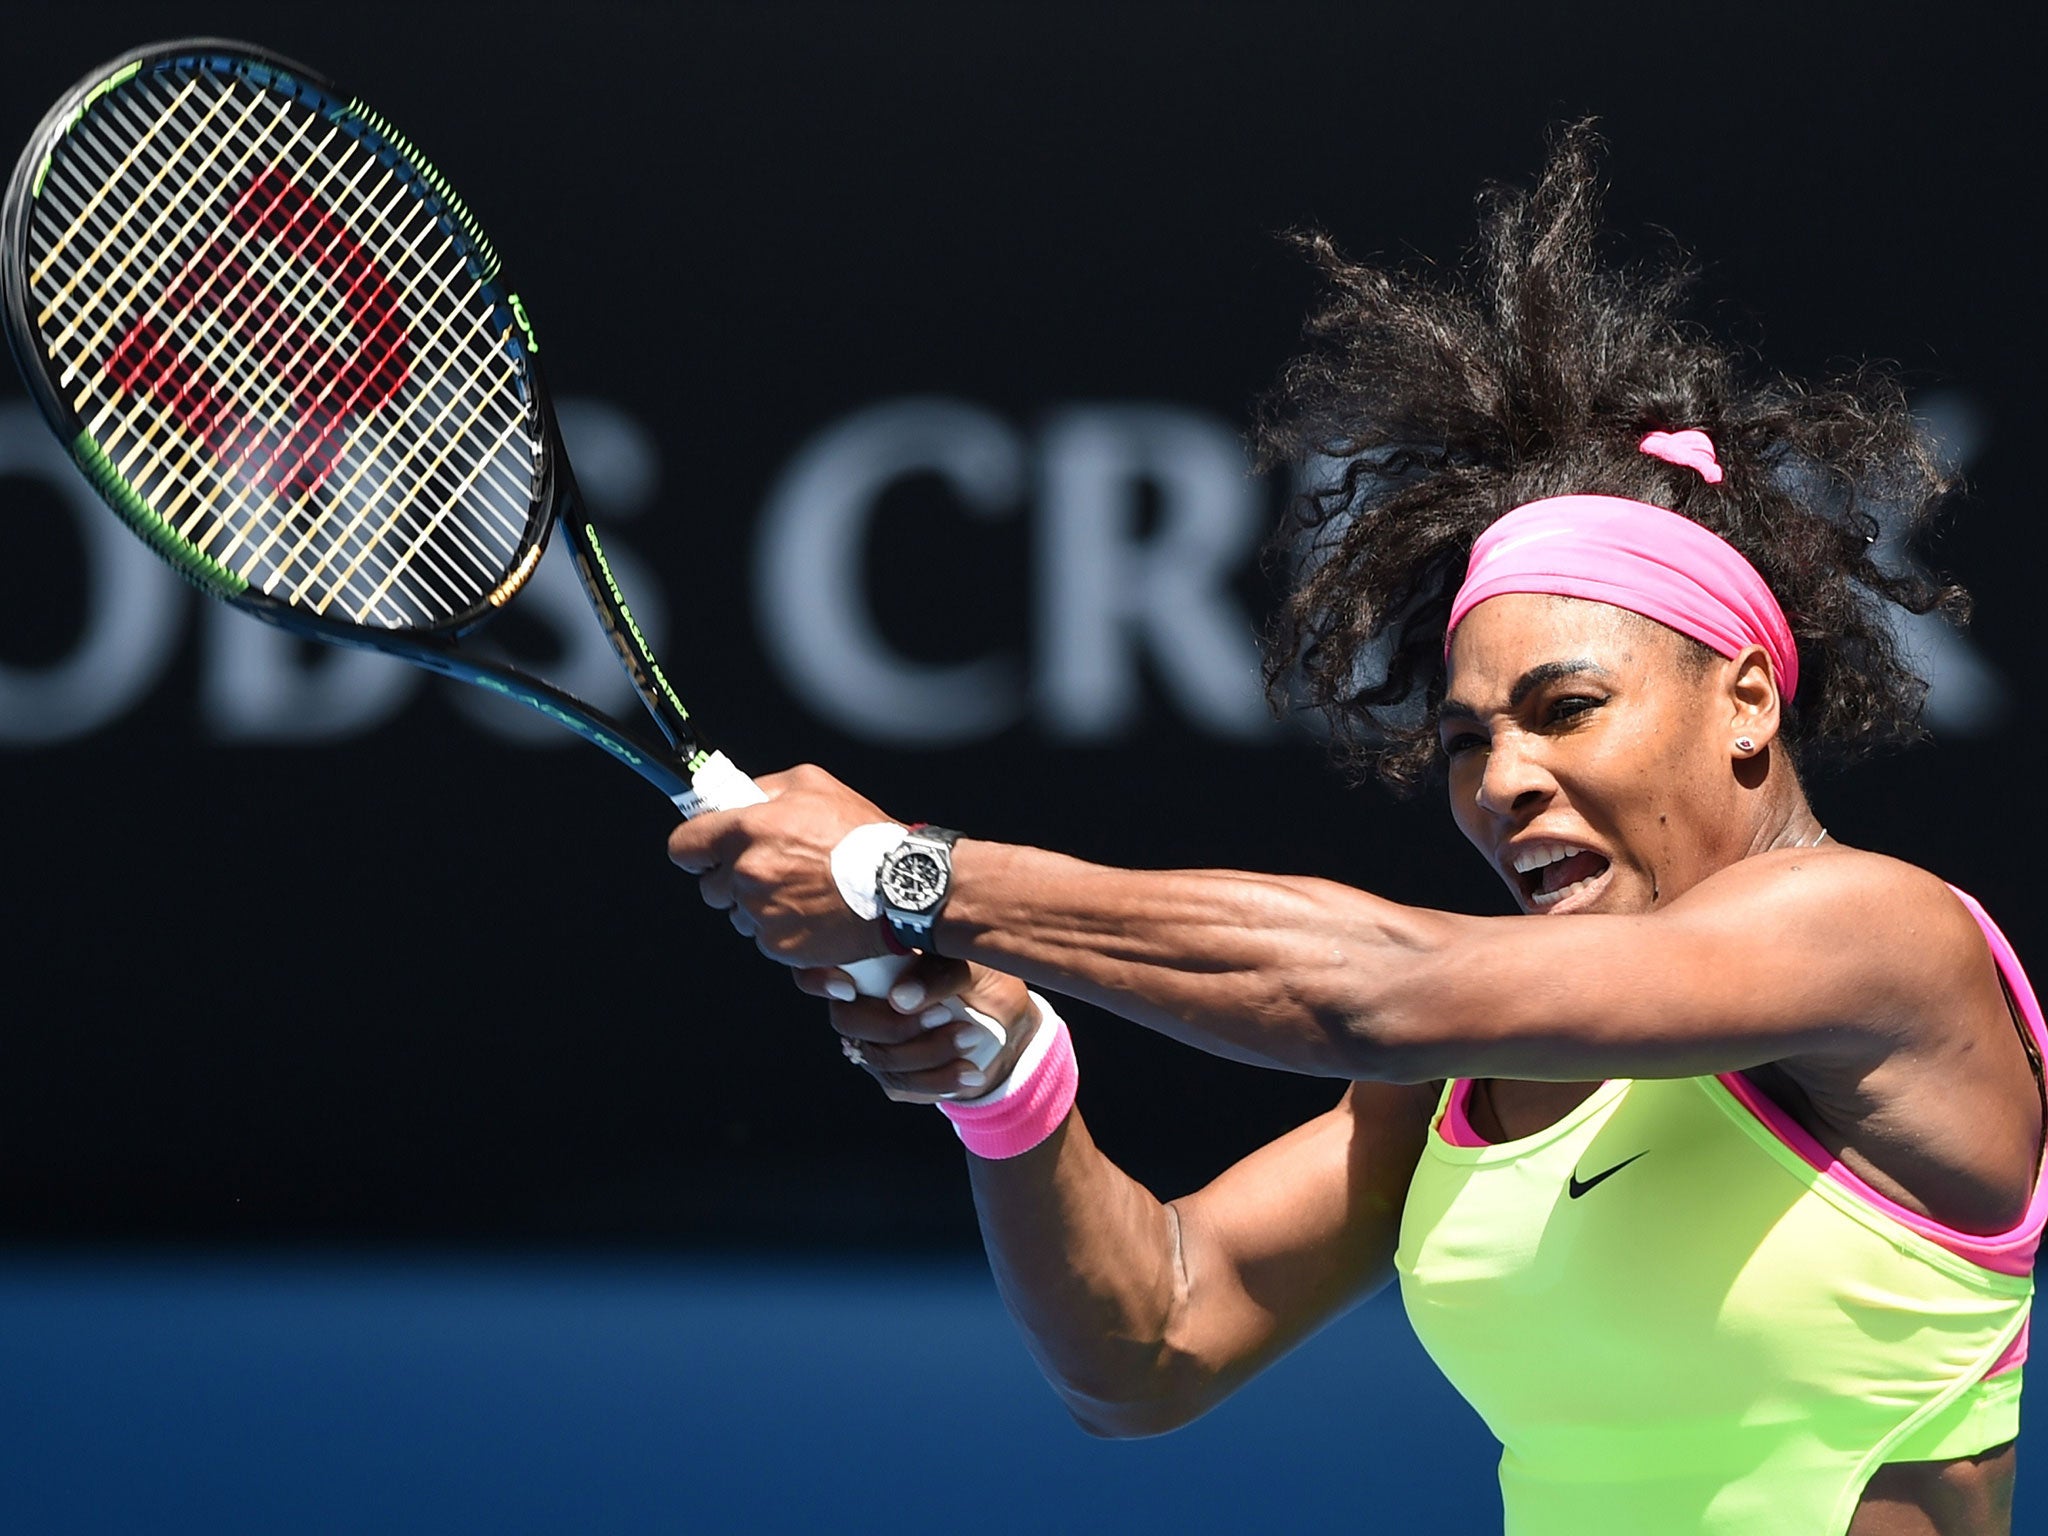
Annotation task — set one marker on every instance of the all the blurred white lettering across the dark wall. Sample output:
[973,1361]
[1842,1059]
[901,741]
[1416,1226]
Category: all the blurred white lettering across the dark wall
[1142,521]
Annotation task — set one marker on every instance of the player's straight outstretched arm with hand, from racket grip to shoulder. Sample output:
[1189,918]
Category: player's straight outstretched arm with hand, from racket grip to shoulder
[1801,953]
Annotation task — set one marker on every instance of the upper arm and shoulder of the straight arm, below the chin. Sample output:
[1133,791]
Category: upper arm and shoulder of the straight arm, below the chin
[1816,953]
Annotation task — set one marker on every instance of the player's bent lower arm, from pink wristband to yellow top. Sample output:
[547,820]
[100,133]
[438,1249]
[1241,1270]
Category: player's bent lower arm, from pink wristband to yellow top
[1146,1316]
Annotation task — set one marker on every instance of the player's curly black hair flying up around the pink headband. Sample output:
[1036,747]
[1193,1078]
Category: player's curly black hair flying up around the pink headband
[1428,409]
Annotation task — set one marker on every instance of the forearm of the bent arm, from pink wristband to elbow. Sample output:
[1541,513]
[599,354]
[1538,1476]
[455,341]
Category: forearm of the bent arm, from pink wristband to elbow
[1091,1267]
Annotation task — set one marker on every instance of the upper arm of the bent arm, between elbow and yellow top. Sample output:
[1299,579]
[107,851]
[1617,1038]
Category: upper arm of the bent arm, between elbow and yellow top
[1297,1232]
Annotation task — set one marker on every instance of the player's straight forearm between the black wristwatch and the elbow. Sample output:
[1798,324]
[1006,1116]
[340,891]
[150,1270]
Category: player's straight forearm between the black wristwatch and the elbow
[1279,972]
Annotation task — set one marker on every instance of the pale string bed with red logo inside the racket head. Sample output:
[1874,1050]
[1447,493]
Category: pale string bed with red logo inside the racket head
[452,466]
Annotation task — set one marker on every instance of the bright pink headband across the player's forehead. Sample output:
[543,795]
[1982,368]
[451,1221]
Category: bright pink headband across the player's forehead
[1633,556]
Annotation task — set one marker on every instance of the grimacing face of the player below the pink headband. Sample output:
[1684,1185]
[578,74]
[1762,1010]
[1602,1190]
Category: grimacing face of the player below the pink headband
[1592,753]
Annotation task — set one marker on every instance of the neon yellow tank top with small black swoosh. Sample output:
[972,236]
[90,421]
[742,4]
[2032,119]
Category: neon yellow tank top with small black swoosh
[1676,1324]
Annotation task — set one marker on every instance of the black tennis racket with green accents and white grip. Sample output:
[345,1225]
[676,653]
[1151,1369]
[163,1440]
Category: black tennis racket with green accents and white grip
[284,351]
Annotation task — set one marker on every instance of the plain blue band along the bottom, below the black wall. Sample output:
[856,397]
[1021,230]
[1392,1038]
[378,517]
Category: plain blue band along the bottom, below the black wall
[429,1394]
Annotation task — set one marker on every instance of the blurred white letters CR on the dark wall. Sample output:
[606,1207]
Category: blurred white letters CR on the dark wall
[1107,589]
